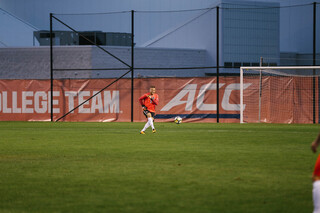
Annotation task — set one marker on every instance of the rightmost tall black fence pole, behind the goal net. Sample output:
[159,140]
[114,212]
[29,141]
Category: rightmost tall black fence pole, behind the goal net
[314,62]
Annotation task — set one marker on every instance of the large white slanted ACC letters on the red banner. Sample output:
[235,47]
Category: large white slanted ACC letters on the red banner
[190,90]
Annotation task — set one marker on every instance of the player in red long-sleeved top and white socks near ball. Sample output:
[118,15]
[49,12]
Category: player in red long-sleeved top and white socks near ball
[148,102]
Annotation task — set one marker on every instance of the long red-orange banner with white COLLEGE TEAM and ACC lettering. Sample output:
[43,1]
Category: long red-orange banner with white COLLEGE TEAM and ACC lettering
[194,99]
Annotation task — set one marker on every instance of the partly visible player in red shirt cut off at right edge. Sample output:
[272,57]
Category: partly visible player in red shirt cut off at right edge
[316,177]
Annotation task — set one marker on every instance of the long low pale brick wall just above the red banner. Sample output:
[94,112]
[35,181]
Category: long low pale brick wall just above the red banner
[34,62]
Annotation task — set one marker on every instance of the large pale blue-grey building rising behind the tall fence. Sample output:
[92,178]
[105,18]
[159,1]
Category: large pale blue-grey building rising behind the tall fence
[167,34]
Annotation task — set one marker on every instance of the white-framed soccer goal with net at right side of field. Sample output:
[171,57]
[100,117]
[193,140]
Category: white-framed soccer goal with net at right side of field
[280,94]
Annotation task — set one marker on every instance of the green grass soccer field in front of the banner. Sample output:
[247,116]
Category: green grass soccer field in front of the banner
[109,167]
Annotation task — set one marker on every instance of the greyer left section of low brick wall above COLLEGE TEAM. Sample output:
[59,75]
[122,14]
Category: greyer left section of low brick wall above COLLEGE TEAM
[34,62]
